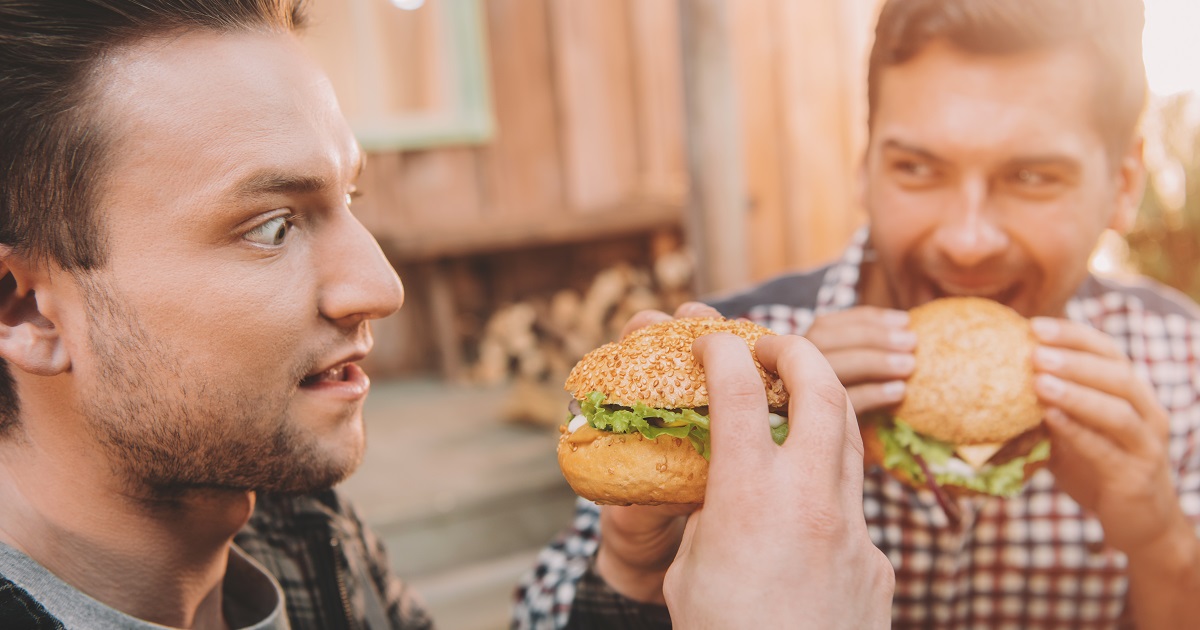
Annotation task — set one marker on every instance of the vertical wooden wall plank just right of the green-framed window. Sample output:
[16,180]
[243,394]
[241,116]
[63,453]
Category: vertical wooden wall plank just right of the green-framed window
[521,169]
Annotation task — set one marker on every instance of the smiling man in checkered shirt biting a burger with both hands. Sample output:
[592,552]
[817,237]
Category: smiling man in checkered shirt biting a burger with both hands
[1003,145]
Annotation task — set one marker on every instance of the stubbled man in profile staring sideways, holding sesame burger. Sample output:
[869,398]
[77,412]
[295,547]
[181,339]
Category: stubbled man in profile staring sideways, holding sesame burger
[184,295]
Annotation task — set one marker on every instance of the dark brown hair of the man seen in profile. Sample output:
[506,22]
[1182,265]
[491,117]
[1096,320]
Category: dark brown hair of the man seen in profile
[52,139]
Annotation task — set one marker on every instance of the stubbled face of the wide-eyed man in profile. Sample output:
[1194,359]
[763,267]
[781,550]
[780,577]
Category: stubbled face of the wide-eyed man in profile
[217,347]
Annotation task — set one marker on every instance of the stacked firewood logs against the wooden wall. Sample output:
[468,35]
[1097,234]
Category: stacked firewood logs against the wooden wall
[535,343]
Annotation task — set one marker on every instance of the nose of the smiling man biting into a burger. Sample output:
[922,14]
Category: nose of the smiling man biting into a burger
[971,231]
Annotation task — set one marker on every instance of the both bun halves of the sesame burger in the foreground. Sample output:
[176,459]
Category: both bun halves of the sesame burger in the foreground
[655,367]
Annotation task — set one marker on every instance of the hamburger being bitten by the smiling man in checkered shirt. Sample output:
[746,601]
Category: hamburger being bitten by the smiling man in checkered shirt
[970,423]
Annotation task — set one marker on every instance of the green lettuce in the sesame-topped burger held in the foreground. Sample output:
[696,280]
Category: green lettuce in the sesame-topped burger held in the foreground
[676,423]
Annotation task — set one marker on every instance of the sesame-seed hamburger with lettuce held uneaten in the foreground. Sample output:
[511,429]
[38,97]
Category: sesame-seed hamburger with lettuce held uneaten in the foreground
[639,427]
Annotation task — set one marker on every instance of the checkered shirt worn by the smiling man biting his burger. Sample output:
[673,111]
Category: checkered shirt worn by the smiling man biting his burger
[1036,561]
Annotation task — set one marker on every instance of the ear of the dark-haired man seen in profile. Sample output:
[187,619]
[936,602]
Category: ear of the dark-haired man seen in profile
[28,340]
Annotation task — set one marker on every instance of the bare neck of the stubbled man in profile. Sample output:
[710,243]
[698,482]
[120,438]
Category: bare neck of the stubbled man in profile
[160,561]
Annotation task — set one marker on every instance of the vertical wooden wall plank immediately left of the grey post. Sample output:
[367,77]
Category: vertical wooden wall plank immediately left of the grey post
[663,171]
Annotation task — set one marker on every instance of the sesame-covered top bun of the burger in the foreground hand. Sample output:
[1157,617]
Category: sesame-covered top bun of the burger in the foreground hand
[655,365]
